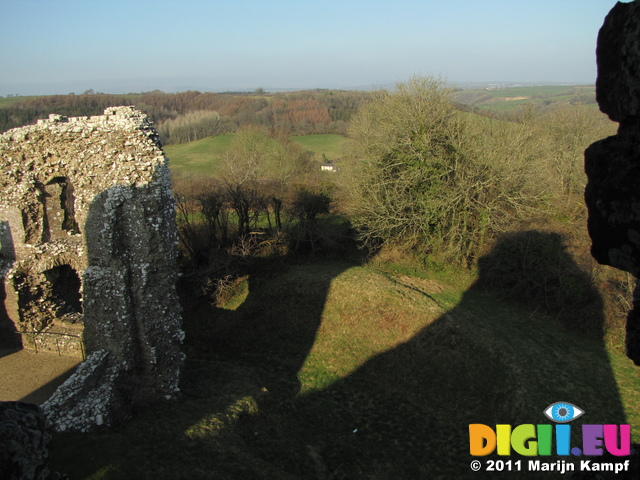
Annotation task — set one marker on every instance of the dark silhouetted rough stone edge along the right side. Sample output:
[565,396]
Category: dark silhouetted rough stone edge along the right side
[613,164]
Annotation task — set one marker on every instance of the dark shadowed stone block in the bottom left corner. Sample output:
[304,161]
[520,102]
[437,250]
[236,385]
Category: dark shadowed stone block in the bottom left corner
[24,442]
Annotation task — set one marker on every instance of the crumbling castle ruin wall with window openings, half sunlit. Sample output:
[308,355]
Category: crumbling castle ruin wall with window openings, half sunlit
[88,260]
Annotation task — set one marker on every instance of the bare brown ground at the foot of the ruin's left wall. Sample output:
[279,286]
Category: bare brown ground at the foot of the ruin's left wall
[31,377]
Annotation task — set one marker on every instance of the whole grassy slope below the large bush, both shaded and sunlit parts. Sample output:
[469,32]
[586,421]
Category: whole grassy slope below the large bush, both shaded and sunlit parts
[336,370]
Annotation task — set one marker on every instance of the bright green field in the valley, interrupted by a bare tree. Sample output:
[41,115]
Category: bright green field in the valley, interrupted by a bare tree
[202,157]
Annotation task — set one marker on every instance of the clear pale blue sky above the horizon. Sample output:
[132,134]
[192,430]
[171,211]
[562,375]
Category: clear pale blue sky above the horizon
[116,46]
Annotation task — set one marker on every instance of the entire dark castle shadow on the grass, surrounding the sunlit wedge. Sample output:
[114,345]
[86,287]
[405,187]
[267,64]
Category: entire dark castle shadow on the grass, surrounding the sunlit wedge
[404,414]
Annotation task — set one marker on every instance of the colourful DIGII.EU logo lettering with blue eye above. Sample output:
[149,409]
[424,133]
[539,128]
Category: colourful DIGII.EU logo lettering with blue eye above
[531,440]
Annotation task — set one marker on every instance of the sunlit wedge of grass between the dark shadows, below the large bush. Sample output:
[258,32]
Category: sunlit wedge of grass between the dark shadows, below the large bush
[366,314]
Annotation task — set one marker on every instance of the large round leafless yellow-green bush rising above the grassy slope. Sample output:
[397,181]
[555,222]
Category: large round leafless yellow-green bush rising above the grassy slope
[428,177]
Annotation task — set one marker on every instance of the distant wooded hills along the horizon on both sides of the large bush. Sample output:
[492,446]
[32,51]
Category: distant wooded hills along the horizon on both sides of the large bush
[188,116]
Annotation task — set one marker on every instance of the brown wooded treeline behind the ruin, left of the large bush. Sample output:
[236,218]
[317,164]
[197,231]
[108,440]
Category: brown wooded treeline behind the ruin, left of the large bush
[192,115]
